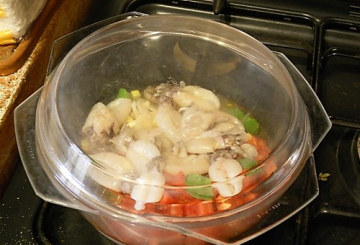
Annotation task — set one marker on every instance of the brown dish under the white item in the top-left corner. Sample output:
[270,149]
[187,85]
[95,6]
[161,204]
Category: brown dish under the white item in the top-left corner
[13,56]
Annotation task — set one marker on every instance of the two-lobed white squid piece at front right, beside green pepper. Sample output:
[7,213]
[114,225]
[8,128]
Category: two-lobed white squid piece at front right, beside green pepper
[225,171]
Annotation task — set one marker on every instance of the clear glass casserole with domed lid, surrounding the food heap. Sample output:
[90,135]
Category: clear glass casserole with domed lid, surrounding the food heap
[137,52]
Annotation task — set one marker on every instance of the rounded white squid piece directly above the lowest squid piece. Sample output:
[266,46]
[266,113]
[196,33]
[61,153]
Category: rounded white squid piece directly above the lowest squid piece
[140,153]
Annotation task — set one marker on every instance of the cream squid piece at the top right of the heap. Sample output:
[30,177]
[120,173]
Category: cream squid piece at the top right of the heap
[195,95]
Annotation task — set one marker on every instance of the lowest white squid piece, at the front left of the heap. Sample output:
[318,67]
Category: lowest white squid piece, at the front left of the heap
[148,188]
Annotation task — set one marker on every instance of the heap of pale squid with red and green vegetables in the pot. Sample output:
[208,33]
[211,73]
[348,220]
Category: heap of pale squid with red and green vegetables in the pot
[174,140]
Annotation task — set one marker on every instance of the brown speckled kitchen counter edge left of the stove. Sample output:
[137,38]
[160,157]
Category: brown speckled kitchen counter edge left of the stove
[67,16]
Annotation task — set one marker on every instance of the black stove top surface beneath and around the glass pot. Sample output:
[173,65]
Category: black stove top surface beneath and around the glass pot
[322,39]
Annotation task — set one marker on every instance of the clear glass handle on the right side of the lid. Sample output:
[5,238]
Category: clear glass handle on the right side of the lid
[320,122]
